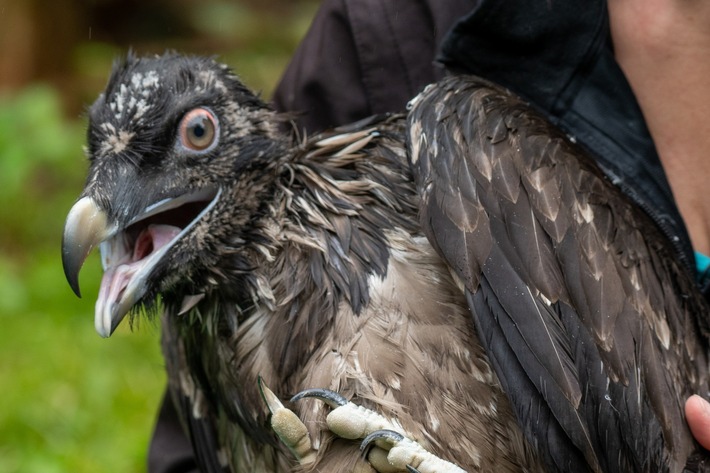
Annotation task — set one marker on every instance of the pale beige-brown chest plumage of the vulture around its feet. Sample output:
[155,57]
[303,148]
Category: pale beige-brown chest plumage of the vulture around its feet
[410,354]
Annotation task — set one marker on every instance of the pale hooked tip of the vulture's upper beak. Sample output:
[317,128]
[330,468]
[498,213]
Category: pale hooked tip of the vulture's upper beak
[86,226]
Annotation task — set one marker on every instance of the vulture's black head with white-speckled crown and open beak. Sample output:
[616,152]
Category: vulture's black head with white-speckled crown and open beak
[171,142]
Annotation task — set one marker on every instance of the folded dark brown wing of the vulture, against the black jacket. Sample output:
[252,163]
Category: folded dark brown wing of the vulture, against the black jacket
[587,319]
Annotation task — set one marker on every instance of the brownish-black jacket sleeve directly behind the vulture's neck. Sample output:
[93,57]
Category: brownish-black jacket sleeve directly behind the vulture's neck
[364,57]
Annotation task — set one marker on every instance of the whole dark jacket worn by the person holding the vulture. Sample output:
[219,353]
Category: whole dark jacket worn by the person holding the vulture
[363,57]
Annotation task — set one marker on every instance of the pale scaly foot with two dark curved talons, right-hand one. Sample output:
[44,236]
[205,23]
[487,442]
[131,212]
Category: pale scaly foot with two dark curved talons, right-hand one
[396,452]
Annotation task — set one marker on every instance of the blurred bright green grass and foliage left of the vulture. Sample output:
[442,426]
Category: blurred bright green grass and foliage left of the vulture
[71,400]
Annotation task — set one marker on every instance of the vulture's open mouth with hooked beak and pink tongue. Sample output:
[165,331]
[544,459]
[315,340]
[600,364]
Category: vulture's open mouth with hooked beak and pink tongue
[128,254]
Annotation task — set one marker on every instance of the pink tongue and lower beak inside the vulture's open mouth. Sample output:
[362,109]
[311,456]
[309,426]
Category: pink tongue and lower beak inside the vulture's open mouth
[125,262]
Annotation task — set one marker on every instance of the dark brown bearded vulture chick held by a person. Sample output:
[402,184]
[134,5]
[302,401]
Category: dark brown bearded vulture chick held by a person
[464,272]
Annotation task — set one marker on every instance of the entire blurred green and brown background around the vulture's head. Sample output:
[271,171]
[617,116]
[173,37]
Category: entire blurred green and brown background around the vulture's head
[71,401]
